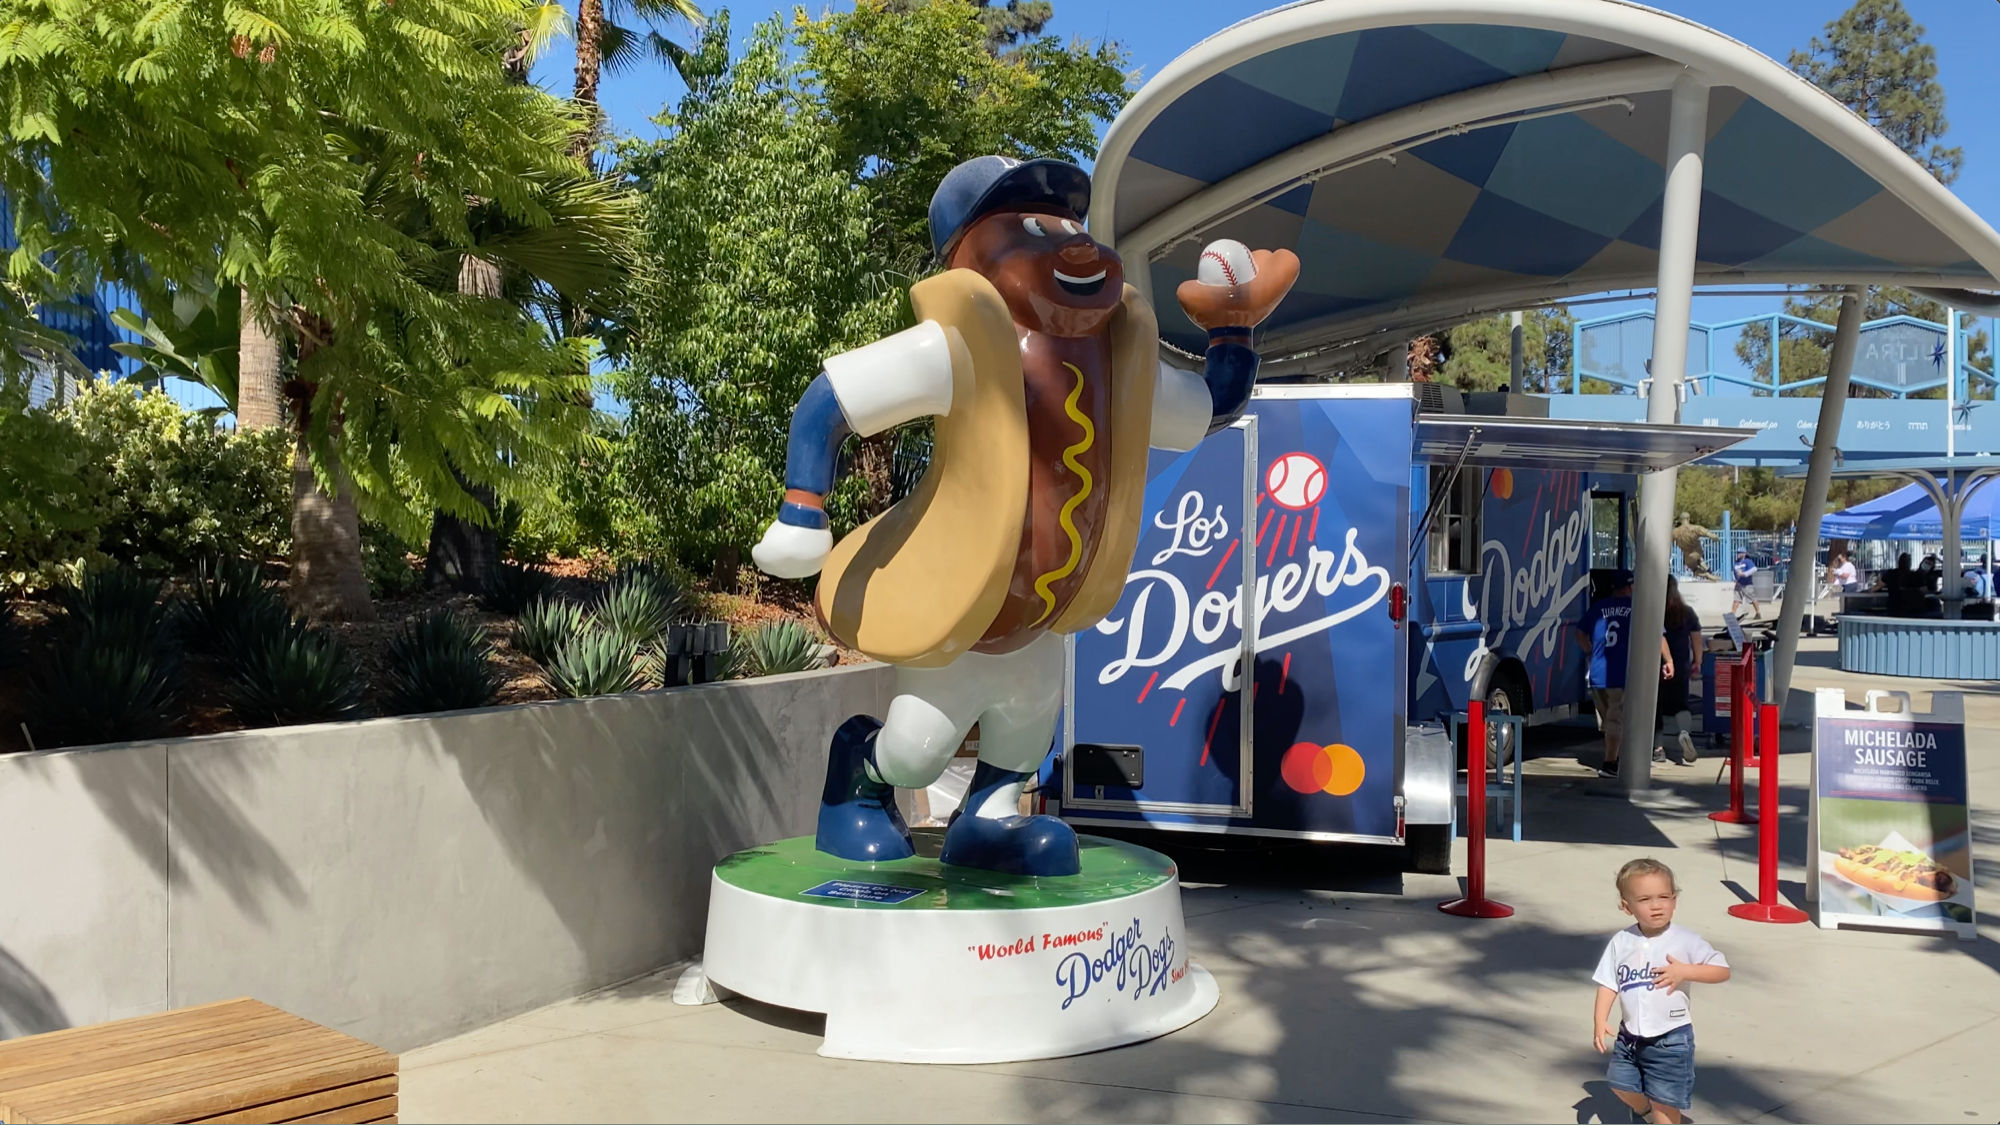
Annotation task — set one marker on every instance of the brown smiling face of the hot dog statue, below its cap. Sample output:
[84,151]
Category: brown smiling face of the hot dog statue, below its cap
[1053,275]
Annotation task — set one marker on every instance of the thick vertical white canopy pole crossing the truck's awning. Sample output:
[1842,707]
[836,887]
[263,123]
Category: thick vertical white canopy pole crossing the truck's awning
[1681,217]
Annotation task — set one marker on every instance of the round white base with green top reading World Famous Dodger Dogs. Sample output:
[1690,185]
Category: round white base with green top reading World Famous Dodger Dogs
[915,962]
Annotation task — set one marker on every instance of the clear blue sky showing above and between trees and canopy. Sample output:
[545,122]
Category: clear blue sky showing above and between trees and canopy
[1965,33]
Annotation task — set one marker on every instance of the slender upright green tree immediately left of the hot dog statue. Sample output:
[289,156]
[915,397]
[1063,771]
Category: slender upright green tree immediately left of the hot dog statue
[757,265]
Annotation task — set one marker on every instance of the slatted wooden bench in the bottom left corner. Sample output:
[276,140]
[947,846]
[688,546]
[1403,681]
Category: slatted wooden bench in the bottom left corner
[225,1062]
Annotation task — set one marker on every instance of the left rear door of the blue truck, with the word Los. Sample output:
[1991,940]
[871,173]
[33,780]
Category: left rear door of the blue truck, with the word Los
[1155,722]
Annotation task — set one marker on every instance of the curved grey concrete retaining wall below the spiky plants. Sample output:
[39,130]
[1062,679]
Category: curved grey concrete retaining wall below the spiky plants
[399,880]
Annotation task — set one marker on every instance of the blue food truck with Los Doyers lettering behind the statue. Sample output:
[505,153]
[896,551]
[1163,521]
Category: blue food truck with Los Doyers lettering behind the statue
[1409,549]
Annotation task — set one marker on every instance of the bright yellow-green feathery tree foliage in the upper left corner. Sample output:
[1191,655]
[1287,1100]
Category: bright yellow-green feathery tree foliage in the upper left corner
[335,163]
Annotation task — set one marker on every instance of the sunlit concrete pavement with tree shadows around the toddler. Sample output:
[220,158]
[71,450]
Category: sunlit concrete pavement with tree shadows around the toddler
[1349,998]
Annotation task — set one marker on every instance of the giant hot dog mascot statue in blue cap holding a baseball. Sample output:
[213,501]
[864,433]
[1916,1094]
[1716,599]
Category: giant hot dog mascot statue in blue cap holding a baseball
[1041,369]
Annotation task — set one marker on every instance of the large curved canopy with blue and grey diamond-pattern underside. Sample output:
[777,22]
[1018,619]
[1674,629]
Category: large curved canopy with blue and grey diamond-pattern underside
[1443,159]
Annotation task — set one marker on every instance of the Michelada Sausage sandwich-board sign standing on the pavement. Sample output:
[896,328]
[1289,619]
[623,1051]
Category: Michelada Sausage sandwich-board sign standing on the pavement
[1891,818]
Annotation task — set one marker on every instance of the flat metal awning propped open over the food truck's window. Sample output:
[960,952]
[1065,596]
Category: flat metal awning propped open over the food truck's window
[1565,443]
